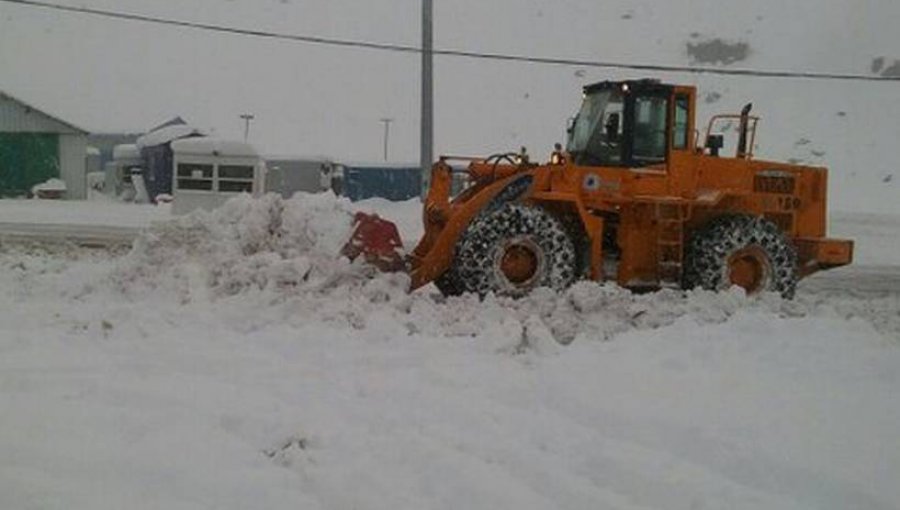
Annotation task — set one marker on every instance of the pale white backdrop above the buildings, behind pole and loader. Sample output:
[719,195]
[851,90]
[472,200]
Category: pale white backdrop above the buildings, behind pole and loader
[113,75]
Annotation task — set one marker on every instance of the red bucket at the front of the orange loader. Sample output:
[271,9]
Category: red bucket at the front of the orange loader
[377,240]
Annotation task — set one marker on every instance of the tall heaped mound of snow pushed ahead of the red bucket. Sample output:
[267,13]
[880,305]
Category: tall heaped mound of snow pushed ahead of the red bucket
[266,243]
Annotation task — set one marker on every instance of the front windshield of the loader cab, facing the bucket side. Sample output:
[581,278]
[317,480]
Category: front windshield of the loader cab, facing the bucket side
[595,135]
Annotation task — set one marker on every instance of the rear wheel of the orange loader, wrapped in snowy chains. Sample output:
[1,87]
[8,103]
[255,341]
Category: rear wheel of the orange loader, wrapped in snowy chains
[751,252]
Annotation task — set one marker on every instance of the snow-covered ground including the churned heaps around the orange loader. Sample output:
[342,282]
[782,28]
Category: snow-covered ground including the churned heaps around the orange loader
[232,361]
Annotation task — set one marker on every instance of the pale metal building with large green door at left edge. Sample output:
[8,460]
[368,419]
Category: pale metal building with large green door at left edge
[36,146]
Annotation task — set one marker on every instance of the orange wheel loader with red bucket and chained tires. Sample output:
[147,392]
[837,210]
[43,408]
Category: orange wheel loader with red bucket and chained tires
[633,198]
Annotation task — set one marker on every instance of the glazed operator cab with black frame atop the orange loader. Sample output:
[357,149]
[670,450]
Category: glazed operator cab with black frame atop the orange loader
[631,124]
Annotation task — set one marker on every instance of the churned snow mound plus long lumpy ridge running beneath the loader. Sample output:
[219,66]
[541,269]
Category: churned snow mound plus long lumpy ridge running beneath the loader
[282,256]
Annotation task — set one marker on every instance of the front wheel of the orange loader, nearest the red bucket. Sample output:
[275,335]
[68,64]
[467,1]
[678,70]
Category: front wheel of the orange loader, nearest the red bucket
[512,250]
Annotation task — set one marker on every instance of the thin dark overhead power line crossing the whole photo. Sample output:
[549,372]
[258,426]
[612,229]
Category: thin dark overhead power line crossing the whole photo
[452,53]
